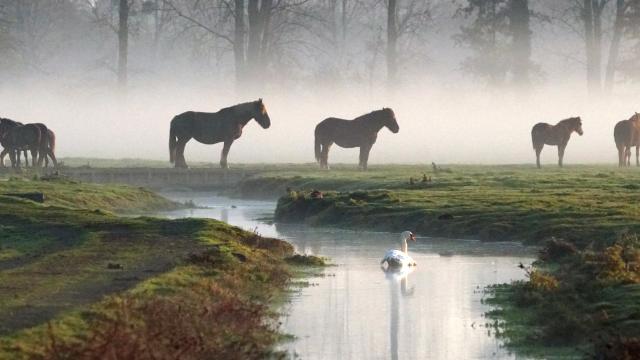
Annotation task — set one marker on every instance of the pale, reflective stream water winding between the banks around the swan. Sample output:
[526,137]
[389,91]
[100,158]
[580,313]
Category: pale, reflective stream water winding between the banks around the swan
[357,313]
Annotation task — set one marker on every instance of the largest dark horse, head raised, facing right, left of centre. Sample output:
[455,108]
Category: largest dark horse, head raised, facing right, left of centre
[210,128]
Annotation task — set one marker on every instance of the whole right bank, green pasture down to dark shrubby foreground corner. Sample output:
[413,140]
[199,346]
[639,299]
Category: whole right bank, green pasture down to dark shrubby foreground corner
[580,299]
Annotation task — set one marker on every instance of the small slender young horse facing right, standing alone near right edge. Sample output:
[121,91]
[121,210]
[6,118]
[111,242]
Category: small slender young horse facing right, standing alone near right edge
[558,134]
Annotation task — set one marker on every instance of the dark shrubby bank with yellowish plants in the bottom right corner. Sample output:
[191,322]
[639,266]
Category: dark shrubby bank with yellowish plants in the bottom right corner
[584,301]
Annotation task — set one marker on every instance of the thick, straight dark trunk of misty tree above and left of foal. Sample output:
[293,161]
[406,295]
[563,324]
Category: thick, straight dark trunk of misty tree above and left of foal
[519,23]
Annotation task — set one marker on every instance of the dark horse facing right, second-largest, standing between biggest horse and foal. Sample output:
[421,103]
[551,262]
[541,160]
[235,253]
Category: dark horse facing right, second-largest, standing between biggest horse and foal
[360,132]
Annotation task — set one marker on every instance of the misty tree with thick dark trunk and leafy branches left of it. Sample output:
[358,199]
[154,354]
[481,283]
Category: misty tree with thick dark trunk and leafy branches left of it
[499,37]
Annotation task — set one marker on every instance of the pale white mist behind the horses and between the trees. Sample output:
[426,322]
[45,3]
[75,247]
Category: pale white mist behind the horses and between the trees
[446,113]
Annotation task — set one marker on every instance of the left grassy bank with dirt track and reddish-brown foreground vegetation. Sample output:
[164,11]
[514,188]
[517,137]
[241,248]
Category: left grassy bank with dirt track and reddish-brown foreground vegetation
[79,282]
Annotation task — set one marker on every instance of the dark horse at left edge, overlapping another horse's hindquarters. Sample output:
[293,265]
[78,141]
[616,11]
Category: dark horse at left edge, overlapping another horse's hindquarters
[20,137]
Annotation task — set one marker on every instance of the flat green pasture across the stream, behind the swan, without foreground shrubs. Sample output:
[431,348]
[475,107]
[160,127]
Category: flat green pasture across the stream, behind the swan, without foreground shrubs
[581,203]
